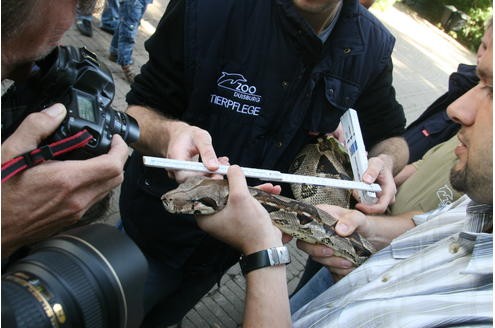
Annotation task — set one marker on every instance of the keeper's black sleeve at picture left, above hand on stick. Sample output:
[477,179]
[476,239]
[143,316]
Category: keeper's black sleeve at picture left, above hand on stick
[161,84]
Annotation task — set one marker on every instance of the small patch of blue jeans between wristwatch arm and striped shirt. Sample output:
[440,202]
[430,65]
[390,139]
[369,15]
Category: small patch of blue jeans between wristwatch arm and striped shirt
[320,282]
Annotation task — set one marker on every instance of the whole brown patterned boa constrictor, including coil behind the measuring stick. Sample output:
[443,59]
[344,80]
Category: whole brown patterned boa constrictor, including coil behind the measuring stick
[298,218]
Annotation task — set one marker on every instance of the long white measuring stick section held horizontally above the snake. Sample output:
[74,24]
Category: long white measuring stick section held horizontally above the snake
[267,175]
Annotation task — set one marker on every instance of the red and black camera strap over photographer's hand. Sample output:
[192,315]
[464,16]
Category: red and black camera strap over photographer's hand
[44,153]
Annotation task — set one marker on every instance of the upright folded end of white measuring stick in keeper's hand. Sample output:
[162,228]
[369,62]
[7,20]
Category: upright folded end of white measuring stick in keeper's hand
[357,153]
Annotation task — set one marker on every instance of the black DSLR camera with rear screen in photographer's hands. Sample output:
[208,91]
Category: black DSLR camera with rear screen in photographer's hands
[74,77]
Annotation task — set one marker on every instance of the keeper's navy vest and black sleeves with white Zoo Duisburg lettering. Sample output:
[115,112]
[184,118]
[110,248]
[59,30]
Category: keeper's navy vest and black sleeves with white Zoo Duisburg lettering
[254,74]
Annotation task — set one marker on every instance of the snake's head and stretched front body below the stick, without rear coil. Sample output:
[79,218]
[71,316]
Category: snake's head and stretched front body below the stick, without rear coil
[202,196]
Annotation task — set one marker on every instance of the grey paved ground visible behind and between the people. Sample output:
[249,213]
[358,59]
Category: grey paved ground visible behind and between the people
[423,57]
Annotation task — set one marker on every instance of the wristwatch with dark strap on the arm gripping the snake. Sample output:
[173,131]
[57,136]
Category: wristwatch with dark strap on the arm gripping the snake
[265,258]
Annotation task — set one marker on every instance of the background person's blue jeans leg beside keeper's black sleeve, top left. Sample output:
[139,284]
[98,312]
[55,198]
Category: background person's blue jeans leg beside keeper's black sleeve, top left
[130,12]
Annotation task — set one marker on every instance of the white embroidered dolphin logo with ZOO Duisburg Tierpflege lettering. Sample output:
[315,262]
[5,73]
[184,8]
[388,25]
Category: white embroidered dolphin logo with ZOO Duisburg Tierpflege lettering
[236,86]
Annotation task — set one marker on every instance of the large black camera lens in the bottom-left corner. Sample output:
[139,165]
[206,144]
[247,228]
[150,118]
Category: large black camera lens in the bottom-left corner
[91,276]
